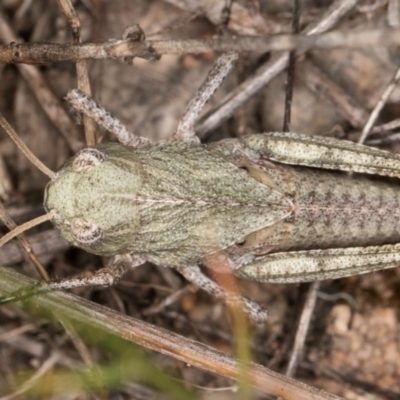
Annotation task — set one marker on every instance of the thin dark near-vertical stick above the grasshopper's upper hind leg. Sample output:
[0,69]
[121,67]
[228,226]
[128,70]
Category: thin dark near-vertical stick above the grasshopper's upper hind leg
[290,72]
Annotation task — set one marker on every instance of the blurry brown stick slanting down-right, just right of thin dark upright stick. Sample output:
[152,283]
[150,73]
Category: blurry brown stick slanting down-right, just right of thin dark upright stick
[327,89]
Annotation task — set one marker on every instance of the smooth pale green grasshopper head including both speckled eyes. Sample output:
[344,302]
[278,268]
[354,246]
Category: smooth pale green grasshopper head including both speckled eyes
[93,197]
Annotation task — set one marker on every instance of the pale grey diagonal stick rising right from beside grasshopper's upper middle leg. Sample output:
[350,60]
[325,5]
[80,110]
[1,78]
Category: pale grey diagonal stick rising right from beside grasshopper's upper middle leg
[268,71]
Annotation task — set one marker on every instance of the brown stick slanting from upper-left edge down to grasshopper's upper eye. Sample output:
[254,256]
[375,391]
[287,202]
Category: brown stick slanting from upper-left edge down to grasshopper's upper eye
[50,103]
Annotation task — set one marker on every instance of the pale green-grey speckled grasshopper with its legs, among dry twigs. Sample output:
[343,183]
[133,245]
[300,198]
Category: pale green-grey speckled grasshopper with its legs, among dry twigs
[263,199]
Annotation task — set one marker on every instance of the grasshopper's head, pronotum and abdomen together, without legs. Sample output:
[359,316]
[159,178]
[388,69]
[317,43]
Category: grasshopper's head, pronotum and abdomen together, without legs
[174,203]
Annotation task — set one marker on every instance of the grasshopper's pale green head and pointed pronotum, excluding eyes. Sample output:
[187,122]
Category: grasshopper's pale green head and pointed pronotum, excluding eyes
[171,202]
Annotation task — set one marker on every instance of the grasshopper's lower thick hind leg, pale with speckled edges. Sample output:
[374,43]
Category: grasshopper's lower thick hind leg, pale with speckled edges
[312,265]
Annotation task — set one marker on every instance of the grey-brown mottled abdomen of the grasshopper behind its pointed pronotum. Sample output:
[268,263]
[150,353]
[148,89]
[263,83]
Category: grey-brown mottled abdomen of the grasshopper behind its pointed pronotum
[335,210]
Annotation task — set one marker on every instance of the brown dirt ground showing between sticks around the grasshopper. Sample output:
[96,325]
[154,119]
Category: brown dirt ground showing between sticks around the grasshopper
[352,348]
